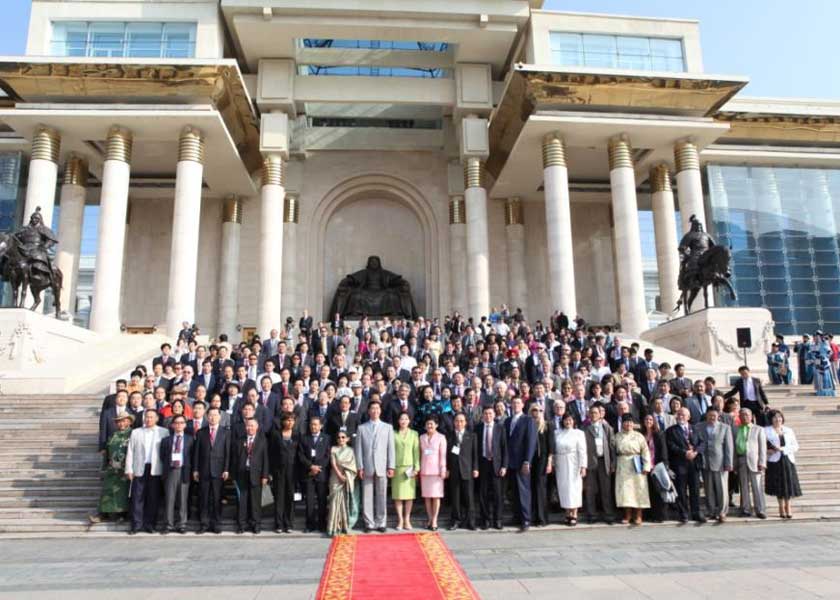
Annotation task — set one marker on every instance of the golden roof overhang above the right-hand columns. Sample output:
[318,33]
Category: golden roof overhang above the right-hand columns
[535,88]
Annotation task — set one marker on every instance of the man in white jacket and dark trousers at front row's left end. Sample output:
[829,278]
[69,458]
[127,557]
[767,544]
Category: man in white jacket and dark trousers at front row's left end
[143,468]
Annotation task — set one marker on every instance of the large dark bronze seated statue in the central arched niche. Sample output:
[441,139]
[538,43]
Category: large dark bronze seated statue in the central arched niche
[373,292]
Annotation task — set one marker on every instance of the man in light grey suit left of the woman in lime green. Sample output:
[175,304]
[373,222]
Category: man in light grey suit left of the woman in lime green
[375,460]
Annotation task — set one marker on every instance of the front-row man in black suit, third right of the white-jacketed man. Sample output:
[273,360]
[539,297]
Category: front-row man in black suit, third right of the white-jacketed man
[250,467]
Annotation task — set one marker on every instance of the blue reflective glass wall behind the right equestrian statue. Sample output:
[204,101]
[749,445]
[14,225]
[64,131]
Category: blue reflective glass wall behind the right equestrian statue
[782,225]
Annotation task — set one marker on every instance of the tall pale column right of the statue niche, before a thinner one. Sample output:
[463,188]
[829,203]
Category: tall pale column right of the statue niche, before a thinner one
[478,250]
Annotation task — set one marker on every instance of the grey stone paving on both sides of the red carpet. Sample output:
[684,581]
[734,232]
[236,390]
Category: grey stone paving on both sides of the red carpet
[786,560]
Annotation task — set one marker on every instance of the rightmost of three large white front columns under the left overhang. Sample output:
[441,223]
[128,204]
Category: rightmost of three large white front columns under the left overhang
[186,221]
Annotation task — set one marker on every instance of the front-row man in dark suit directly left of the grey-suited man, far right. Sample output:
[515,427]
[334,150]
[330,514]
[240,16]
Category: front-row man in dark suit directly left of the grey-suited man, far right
[684,459]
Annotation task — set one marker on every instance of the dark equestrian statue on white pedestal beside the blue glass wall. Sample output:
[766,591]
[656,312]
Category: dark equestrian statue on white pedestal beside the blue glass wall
[702,263]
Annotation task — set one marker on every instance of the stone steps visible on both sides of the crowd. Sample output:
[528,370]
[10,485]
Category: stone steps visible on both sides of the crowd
[49,466]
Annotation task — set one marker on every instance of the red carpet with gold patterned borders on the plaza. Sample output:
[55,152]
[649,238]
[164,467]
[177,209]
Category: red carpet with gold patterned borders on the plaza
[407,566]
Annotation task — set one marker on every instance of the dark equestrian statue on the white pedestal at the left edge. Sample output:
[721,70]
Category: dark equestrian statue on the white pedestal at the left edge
[26,262]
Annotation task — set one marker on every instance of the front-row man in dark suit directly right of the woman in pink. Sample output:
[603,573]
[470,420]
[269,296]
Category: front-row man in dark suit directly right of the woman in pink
[462,464]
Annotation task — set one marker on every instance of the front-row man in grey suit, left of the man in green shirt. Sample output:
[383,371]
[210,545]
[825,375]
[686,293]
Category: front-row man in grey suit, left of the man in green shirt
[715,445]
